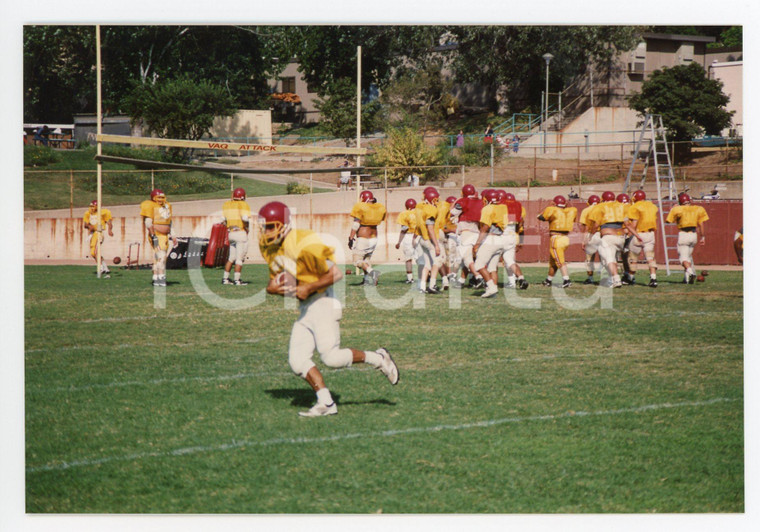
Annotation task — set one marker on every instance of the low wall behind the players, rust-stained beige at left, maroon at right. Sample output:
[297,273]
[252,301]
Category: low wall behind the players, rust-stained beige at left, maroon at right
[66,238]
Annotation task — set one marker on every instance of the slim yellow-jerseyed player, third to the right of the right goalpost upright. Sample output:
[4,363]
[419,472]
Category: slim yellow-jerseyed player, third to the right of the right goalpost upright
[427,236]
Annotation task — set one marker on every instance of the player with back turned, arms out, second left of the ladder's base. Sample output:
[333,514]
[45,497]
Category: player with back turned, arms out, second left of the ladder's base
[610,217]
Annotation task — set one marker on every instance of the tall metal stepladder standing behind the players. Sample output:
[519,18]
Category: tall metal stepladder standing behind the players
[653,142]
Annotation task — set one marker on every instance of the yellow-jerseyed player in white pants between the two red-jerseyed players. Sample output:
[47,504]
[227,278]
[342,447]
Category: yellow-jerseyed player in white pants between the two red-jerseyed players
[492,243]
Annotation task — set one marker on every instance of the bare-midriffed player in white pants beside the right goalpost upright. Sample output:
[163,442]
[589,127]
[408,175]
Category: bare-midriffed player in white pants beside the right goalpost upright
[367,214]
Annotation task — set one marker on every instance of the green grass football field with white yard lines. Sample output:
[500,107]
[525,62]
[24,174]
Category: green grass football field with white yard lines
[191,408]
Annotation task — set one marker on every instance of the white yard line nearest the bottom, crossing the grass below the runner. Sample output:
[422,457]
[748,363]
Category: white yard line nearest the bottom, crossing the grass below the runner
[234,444]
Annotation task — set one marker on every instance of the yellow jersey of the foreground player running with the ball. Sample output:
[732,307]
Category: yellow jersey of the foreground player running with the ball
[302,254]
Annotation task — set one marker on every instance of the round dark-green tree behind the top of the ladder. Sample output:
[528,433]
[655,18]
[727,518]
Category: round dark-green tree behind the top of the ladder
[690,103]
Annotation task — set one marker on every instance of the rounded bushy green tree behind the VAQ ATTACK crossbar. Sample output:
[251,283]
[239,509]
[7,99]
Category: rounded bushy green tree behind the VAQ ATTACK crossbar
[179,109]
